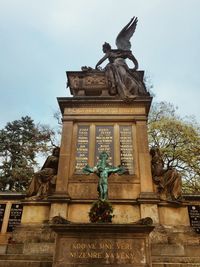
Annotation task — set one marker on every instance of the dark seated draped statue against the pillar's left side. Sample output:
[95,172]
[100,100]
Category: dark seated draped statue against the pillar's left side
[44,181]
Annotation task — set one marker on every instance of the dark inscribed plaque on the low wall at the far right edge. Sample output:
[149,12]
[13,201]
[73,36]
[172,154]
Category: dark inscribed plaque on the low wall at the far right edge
[194,215]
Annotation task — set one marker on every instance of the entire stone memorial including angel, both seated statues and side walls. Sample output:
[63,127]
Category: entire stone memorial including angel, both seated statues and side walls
[104,198]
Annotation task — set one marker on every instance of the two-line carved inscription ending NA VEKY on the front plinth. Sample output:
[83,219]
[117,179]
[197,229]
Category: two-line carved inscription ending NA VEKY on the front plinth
[125,251]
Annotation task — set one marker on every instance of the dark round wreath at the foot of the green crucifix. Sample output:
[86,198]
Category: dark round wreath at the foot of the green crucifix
[101,211]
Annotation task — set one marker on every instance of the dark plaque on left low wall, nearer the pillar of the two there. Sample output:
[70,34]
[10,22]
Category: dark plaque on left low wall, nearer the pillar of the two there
[15,216]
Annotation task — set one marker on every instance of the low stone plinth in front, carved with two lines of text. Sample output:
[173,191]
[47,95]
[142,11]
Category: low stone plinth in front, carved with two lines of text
[85,245]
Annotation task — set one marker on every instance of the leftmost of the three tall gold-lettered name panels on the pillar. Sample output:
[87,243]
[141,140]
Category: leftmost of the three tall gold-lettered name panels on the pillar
[82,150]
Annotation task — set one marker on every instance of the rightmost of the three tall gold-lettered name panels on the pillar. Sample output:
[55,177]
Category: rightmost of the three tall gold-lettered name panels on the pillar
[126,148]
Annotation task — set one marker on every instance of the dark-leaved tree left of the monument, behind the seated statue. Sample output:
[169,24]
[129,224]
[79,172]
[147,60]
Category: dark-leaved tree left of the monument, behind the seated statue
[20,142]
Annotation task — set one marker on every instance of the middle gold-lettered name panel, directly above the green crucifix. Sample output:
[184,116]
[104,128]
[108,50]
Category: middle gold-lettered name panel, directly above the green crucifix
[104,142]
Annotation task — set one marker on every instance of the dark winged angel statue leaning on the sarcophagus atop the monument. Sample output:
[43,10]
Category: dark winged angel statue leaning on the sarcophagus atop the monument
[121,79]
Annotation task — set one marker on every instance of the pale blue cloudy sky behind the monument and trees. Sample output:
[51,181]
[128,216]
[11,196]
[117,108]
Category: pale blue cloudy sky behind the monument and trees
[42,39]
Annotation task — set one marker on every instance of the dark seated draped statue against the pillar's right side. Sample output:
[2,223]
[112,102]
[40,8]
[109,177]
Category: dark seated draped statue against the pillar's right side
[168,181]
